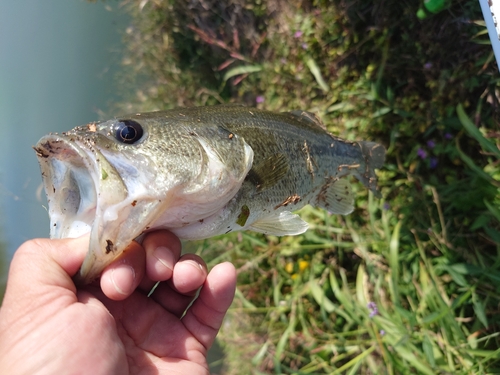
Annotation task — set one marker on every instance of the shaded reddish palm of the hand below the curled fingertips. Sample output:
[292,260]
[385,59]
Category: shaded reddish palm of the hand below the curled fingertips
[155,338]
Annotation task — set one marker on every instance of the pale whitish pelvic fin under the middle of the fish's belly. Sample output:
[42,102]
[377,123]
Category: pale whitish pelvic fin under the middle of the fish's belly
[282,224]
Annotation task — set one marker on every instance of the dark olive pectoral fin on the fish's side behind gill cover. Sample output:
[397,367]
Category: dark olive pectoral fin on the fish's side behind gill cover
[268,172]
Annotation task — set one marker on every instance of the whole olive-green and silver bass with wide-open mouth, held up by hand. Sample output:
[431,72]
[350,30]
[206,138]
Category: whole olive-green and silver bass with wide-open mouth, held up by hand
[198,172]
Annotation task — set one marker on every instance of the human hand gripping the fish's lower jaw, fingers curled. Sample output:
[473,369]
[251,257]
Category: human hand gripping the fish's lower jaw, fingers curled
[48,326]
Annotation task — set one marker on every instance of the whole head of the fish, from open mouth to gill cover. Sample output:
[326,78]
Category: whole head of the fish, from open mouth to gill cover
[115,179]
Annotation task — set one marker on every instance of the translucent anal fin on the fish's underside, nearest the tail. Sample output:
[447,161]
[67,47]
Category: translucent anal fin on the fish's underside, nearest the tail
[336,197]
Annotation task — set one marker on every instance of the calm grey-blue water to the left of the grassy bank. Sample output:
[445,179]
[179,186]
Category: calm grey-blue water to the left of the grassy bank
[58,59]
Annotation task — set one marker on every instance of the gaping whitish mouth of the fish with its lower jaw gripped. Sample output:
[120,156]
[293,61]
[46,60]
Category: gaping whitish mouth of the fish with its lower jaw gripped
[84,193]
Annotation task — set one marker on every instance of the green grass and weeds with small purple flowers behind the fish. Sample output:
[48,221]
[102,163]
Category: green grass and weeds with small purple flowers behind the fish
[408,284]
